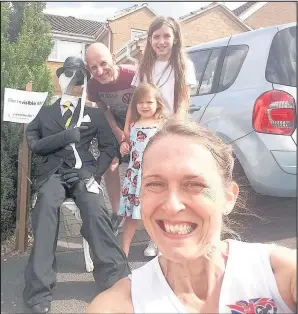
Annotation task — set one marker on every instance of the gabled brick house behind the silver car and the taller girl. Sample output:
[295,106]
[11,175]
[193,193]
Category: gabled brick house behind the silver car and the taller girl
[217,21]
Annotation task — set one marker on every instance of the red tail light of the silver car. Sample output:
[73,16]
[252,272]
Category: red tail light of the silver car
[274,113]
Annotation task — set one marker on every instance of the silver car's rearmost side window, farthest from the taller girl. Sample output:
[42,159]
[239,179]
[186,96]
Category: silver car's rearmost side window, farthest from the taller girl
[234,58]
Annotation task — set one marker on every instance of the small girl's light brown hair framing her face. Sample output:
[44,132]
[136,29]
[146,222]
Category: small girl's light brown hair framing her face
[142,90]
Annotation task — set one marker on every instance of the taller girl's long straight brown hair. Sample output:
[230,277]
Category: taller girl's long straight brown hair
[177,60]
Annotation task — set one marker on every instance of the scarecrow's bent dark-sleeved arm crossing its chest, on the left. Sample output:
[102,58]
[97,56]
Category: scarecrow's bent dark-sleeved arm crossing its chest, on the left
[46,145]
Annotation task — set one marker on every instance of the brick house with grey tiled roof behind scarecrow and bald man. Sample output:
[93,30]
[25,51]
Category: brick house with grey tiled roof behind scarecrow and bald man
[72,36]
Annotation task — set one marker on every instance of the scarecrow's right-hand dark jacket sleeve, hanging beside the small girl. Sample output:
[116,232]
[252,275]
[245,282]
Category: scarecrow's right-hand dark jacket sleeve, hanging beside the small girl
[106,145]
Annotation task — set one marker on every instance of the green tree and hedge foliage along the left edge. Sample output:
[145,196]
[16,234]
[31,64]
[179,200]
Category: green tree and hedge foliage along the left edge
[26,43]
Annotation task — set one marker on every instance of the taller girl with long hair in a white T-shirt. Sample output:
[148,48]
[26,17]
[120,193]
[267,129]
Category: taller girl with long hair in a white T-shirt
[165,64]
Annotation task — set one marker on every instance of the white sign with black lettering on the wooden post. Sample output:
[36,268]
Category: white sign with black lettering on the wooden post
[21,106]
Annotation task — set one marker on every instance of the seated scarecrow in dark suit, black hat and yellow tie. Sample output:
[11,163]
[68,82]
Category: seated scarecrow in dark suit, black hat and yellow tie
[61,135]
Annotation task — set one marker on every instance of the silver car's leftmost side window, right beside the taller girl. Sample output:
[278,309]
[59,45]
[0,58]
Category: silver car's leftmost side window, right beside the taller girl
[199,59]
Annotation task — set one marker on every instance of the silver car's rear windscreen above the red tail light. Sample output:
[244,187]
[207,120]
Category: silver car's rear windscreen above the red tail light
[281,64]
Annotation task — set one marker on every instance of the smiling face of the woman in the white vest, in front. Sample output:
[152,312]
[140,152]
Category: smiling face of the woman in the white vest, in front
[183,197]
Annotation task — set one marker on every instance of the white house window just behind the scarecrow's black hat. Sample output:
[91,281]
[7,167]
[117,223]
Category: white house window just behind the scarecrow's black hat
[63,49]
